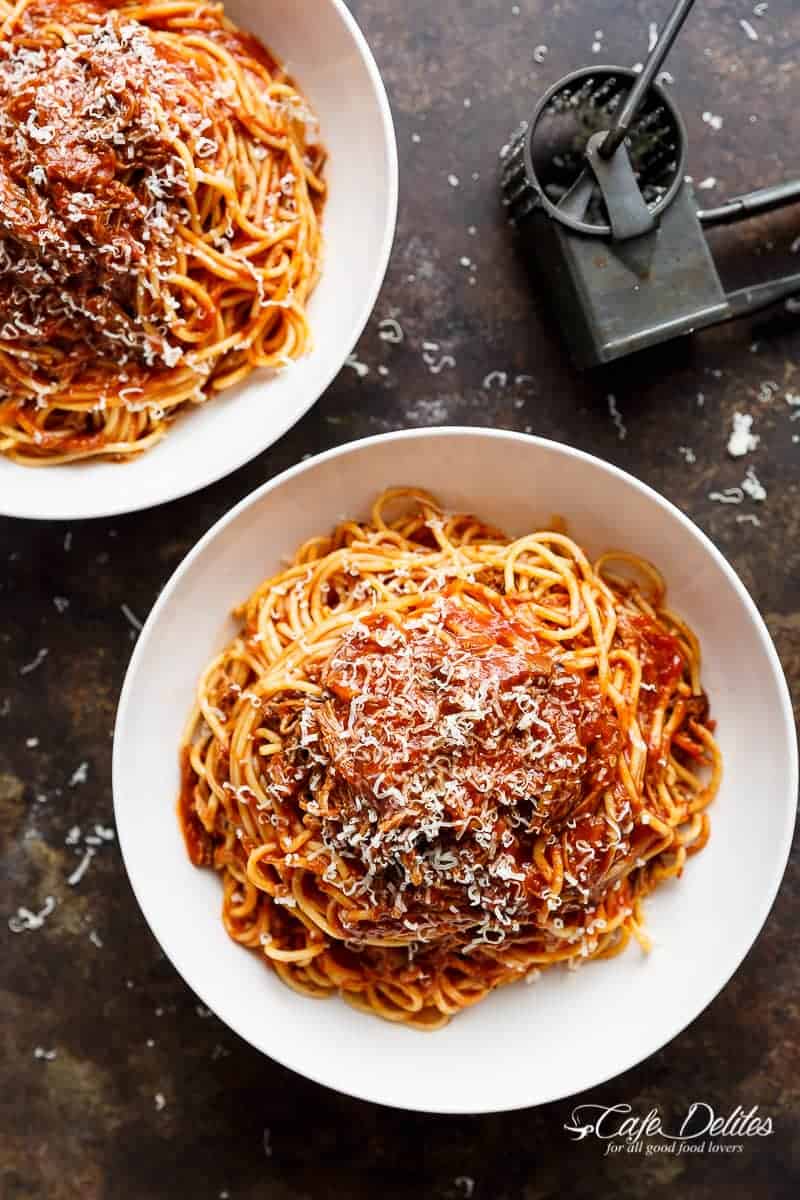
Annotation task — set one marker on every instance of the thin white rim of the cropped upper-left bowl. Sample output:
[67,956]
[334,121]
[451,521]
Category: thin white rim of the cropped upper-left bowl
[57,511]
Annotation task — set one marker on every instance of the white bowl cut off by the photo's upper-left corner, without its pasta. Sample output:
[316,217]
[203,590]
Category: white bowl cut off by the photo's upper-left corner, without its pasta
[328,56]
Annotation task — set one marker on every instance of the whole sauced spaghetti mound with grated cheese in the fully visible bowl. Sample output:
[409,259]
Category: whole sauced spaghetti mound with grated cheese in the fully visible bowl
[436,760]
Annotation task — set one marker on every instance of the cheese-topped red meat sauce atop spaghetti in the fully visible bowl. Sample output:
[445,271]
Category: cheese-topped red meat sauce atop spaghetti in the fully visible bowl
[444,748]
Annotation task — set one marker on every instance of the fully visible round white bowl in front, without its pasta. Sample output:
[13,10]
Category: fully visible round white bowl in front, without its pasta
[524,1045]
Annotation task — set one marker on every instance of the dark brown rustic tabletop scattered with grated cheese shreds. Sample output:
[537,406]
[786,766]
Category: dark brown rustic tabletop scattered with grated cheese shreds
[116,1083]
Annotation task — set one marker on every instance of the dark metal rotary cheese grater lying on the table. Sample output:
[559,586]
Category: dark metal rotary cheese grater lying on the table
[596,185]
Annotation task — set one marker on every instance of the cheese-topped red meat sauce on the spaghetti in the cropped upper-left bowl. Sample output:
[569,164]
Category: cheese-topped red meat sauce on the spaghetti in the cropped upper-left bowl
[91,184]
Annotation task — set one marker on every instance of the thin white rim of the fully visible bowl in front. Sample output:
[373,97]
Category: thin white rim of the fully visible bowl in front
[184,965]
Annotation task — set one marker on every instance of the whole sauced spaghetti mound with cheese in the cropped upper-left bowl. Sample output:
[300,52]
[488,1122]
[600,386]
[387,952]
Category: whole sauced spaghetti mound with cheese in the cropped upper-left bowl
[160,200]
